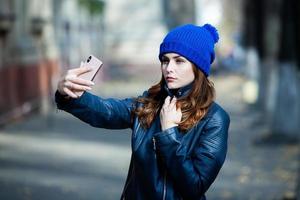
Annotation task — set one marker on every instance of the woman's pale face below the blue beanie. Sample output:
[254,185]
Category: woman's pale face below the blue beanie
[177,70]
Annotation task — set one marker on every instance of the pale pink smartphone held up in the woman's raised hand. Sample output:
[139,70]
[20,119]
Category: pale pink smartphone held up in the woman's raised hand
[95,64]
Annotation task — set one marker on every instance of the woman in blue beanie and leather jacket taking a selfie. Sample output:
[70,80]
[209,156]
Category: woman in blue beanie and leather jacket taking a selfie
[179,134]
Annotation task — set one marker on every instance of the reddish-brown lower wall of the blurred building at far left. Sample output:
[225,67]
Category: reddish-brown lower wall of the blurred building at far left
[20,84]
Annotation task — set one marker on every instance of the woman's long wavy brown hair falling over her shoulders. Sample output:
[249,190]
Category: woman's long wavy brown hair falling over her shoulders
[193,106]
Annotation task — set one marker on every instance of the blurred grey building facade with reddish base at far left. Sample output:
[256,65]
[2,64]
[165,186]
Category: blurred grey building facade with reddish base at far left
[38,38]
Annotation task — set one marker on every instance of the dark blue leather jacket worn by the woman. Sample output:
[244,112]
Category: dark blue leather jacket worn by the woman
[165,165]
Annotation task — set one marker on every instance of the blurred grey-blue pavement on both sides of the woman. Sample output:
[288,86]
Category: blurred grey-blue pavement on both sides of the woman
[58,157]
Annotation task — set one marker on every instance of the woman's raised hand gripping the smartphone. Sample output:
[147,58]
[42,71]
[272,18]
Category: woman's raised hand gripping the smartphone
[72,85]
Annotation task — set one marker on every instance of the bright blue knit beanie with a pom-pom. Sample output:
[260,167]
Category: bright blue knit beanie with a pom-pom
[195,43]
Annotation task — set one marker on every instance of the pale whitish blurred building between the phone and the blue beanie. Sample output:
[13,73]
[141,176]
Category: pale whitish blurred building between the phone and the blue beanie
[134,30]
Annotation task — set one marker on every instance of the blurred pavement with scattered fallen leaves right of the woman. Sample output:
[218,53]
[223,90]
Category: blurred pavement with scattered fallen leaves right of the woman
[256,172]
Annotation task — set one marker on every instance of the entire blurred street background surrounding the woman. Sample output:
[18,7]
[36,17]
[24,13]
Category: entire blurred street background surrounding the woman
[47,154]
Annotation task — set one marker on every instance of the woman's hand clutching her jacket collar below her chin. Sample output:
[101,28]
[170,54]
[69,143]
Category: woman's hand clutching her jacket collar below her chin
[170,116]
